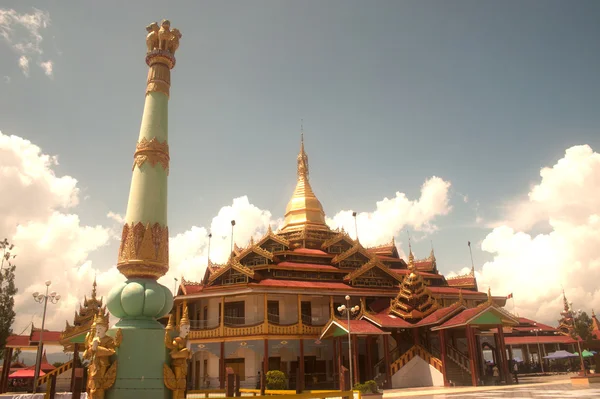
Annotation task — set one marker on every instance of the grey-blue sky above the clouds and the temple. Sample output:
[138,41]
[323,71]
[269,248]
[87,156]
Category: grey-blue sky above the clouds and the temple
[482,94]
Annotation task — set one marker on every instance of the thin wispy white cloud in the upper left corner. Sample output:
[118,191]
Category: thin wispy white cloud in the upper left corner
[22,32]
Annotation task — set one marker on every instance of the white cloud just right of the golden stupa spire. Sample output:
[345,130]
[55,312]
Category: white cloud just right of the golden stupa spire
[393,215]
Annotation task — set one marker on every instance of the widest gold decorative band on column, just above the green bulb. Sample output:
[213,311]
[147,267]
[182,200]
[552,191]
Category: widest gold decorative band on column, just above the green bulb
[144,251]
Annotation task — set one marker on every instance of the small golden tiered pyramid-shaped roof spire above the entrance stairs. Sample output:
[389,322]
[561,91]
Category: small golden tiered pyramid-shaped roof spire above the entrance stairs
[415,300]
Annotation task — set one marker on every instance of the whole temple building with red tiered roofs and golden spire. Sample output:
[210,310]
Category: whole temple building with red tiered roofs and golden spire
[282,303]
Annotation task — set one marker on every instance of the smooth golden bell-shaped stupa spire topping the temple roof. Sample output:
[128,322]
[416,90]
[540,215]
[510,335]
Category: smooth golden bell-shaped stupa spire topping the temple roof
[304,209]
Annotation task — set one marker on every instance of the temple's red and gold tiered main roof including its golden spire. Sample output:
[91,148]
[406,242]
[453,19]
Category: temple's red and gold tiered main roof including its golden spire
[306,255]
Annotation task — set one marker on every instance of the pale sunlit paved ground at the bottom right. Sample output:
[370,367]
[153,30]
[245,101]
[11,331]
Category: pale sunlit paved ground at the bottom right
[548,390]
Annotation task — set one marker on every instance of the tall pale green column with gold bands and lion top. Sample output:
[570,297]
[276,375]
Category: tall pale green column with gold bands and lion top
[144,252]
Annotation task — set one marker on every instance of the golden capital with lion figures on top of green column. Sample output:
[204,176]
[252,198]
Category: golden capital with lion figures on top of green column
[162,42]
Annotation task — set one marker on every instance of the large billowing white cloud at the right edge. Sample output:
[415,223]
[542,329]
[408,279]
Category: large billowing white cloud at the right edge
[535,266]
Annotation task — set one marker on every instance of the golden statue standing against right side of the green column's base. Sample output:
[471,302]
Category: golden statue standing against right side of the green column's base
[175,377]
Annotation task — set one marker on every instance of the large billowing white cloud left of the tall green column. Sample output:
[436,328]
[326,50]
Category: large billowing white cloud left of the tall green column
[50,243]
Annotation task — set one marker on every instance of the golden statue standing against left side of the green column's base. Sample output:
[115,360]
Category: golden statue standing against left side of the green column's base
[99,347]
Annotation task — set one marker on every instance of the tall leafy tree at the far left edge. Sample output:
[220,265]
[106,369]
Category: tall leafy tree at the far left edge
[8,290]
